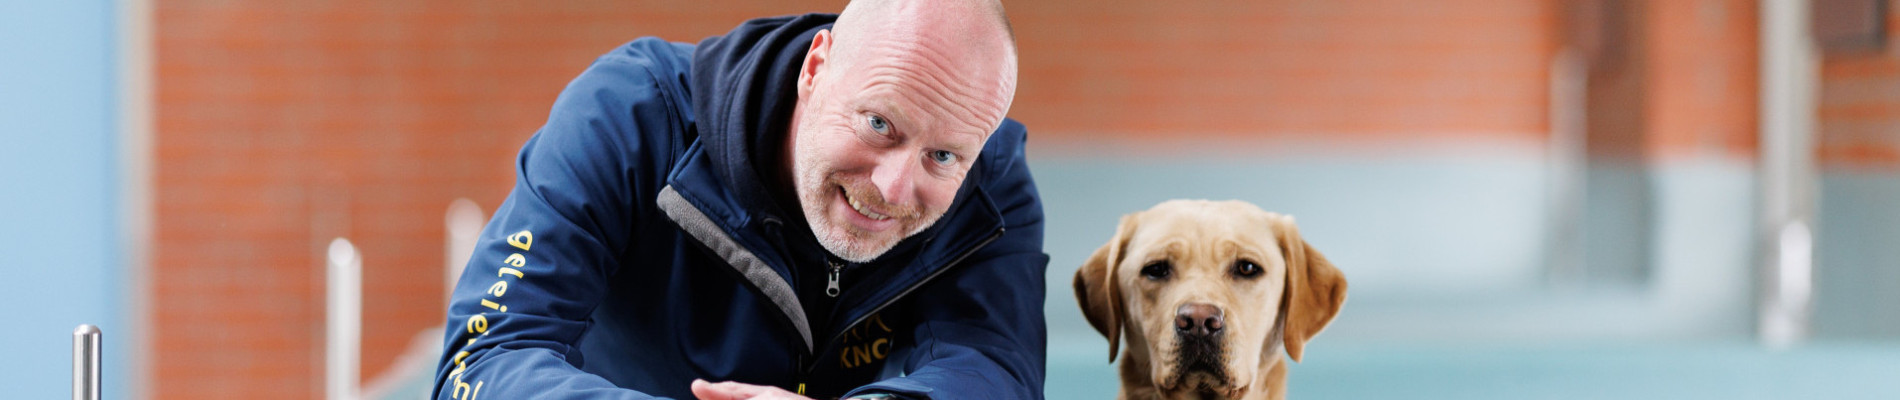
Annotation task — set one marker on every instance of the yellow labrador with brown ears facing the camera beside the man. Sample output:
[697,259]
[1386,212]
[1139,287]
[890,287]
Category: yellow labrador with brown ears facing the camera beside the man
[1207,293]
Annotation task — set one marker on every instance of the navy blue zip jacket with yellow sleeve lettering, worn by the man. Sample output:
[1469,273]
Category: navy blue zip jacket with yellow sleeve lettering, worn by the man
[641,249]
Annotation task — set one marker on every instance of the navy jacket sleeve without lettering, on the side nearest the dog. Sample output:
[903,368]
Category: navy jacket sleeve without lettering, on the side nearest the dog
[981,331]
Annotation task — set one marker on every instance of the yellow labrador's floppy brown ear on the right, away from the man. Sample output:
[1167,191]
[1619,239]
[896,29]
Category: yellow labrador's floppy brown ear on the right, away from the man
[1318,287]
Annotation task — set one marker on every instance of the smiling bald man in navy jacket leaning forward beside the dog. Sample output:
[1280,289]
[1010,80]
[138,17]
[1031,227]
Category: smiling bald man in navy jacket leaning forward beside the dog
[805,208]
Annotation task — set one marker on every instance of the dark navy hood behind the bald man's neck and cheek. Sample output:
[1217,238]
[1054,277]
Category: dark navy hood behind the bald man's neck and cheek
[744,88]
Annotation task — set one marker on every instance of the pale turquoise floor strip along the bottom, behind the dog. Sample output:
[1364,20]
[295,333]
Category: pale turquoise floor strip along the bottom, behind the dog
[1521,373]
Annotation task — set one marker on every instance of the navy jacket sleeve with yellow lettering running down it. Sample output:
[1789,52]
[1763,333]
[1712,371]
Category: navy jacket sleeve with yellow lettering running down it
[542,263]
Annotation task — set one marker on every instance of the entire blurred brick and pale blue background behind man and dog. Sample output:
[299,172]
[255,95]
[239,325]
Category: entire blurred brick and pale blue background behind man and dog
[1530,198]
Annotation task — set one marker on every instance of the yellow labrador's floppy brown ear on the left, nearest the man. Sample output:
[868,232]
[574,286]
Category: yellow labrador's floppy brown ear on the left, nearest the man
[1097,291]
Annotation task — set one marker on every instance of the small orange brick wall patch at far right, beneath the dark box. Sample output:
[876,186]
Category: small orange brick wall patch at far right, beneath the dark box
[1861,103]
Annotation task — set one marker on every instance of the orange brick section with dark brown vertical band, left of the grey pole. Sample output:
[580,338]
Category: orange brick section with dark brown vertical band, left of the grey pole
[1665,81]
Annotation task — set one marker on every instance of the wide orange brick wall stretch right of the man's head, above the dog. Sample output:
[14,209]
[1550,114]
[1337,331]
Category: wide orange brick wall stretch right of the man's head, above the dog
[1310,69]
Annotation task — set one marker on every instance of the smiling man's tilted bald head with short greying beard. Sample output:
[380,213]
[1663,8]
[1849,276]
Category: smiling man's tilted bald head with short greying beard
[896,101]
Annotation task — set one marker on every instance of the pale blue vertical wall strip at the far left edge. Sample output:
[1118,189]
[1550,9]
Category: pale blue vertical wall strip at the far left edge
[60,194]
